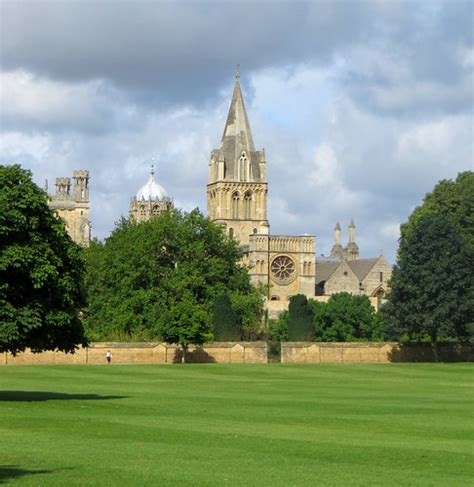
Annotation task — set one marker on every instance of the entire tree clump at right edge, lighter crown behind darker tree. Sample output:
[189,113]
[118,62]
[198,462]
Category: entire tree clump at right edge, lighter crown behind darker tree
[432,285]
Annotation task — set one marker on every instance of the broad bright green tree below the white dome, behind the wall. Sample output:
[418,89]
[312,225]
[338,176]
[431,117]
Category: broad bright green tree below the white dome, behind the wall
[159,279]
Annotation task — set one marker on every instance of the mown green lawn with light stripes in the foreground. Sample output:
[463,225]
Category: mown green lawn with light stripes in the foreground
[209,424]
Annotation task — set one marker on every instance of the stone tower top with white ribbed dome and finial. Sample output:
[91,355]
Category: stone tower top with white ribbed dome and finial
[151,200]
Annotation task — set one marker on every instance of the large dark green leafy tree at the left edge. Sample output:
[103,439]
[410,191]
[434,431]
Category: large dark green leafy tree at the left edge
[41,271]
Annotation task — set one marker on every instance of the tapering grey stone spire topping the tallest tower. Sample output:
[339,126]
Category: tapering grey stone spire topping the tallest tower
[237,150]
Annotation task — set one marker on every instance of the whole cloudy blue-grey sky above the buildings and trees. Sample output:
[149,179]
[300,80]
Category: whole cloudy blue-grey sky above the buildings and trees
[361,106]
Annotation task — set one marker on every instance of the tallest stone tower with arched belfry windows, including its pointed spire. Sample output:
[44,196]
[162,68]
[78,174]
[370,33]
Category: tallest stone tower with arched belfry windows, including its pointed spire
[237,187]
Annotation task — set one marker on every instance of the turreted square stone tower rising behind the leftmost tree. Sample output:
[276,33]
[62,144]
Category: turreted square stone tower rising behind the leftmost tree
[73,206]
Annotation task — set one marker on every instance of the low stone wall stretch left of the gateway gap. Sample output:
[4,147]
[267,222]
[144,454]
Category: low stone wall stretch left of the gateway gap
[146,353]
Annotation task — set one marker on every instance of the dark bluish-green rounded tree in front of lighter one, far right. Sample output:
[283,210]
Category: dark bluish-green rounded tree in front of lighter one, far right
[432,291]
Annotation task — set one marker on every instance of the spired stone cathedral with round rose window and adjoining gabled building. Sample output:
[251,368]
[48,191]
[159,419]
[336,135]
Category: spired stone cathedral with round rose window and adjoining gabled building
[286,264]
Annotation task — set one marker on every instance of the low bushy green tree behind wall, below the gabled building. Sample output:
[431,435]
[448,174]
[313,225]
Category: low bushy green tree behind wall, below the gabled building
[344,318]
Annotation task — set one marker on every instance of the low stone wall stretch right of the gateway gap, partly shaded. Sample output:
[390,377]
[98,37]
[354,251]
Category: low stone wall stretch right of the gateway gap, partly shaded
[384,352]
